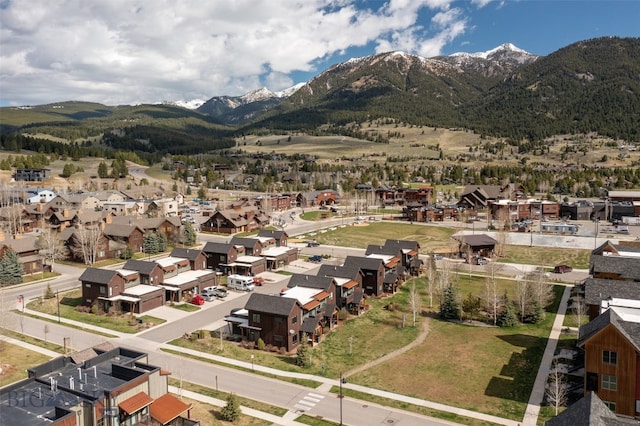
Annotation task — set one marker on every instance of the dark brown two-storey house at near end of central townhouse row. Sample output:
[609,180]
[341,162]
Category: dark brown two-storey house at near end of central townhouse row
[276,320]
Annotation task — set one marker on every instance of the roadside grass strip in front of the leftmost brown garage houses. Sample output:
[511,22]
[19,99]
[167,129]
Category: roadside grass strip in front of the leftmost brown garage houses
[124,323]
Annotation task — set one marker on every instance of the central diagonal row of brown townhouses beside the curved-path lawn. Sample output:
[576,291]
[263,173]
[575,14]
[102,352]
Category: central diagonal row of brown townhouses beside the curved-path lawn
[309,305]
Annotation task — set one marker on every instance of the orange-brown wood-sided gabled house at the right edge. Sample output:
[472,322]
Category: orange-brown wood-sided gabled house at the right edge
[611,345]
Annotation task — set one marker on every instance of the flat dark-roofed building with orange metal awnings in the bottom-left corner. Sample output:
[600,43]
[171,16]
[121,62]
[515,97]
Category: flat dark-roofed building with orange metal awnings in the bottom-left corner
[103,385]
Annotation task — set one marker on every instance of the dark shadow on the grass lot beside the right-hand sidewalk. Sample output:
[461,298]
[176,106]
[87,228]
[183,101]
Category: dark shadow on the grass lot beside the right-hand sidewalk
[518,375]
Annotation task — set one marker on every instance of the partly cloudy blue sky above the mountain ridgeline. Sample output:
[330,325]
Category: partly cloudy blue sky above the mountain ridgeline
[145,51]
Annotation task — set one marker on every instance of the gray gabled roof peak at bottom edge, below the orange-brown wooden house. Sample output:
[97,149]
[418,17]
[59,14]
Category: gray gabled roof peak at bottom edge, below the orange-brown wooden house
[589,410]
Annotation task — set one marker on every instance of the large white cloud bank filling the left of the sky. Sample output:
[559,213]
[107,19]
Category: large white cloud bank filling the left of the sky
[124,51]
